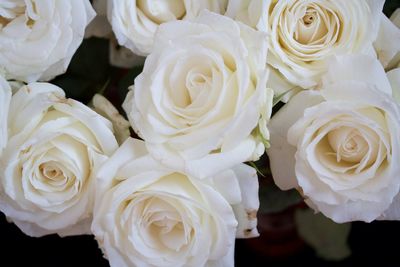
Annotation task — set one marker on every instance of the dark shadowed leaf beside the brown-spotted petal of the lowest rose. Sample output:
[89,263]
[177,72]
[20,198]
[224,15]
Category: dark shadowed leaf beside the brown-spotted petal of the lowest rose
[273,199]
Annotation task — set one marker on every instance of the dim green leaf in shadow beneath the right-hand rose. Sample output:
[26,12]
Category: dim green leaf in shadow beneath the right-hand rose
[326,237]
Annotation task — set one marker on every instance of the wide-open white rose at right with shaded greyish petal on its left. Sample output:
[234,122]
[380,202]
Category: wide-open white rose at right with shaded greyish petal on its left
[340,146]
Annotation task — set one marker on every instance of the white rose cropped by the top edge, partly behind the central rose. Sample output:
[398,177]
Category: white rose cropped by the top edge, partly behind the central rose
[135,22]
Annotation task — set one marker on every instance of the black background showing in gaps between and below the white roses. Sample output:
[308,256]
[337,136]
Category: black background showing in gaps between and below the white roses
[373,244]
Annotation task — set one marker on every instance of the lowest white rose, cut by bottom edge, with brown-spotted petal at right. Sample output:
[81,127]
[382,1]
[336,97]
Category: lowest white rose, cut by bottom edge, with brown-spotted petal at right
[148,215]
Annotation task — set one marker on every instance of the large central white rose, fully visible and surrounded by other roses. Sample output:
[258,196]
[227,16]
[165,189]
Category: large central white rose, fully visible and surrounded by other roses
[201,99]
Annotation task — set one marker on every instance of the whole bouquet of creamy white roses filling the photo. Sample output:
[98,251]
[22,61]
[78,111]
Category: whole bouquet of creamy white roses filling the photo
[213,86]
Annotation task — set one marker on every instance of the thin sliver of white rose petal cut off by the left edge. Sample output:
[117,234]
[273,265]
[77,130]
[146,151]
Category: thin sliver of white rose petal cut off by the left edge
[5,97]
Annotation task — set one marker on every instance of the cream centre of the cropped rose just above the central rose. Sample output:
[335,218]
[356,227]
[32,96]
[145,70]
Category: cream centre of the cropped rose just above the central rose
[161,11]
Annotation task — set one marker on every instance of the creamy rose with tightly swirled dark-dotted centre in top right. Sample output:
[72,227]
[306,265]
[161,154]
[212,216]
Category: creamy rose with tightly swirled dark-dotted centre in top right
[305,34]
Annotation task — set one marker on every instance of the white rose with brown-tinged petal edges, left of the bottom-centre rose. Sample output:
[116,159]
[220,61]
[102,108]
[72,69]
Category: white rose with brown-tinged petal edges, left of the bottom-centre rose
[54,146]
